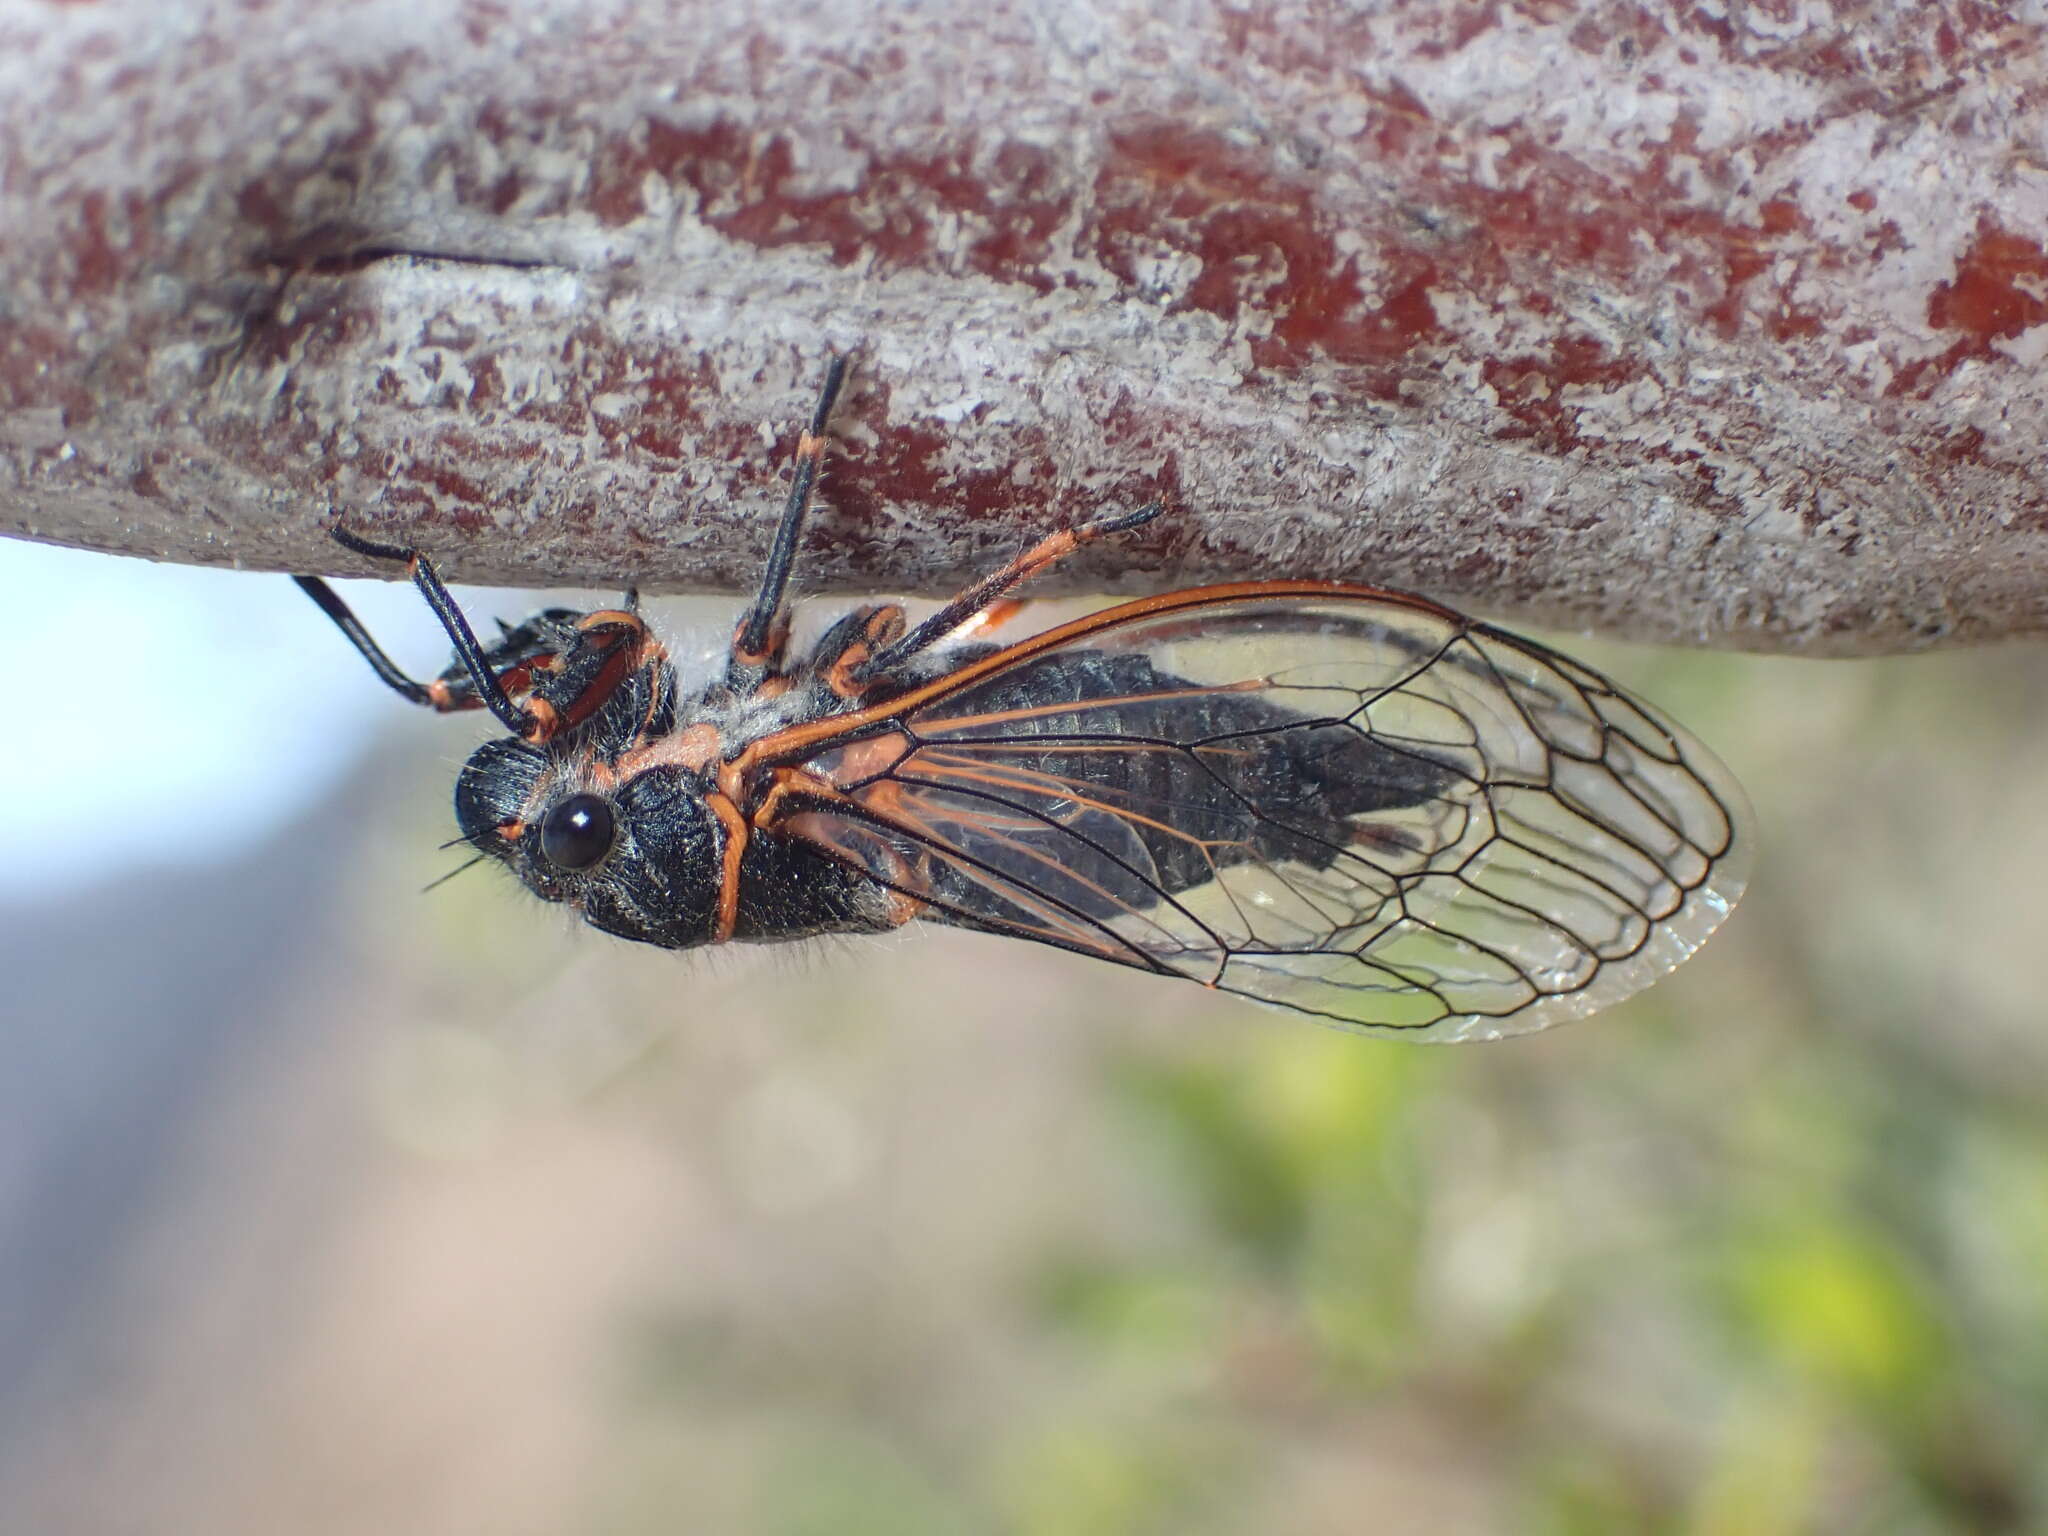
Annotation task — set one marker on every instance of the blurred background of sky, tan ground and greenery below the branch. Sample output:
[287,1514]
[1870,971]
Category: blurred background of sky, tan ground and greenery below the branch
[329,1205]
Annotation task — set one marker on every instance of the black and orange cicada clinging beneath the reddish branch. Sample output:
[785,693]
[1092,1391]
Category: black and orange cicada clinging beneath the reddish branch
[1340,800]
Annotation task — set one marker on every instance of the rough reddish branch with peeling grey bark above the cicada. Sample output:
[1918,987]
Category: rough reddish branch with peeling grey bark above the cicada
[1711,321]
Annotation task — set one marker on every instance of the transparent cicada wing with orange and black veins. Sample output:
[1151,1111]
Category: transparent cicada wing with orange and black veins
[1347,804]
